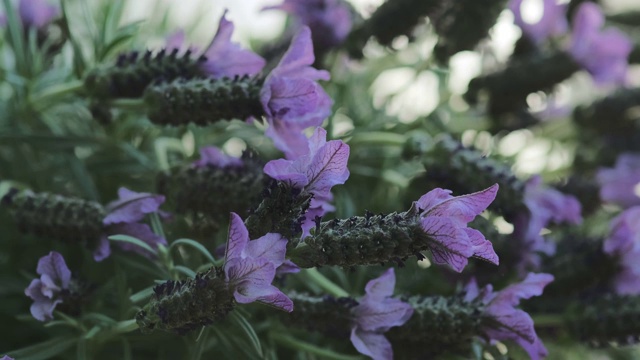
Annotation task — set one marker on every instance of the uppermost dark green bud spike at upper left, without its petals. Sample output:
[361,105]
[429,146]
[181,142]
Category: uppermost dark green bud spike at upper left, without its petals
[132,73]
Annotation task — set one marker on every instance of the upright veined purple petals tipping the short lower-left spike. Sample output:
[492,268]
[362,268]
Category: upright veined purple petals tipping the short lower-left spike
[250,266]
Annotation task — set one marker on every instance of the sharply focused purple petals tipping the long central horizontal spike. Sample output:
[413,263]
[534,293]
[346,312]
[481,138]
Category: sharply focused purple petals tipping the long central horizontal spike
[445,218]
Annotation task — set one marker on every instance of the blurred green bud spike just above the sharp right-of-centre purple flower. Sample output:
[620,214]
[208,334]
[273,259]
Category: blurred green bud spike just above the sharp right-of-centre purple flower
[463,170]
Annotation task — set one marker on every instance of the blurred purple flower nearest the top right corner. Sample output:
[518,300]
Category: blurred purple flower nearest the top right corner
[604,54]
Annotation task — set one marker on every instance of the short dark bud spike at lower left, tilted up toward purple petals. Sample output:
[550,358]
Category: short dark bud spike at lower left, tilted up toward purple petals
[183,306]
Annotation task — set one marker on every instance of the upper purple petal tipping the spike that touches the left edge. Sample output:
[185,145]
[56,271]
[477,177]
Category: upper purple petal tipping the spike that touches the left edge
[131,206]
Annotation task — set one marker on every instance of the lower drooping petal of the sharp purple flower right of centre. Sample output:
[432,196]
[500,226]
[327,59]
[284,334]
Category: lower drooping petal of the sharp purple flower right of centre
[451,244]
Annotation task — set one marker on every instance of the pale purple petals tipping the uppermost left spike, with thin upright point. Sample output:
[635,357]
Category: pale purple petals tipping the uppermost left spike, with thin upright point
[225,58]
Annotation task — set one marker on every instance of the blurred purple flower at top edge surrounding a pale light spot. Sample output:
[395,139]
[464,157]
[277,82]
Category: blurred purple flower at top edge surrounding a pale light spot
[552,23]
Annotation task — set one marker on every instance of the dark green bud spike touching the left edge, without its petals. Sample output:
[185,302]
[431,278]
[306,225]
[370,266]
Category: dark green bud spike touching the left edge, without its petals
[56,217]
